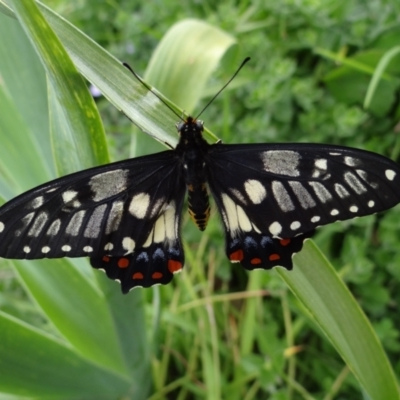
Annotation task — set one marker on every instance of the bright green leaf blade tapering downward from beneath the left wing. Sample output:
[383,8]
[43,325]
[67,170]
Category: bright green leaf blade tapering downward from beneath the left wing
[76,307]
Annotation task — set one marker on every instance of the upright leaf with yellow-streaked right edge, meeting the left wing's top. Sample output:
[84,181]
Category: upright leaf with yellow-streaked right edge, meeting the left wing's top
[82,139]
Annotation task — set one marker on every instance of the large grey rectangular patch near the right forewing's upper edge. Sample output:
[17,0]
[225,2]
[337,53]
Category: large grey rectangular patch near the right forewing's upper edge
[282,162]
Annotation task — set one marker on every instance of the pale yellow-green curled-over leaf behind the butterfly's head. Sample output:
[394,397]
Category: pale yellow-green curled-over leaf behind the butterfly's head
[185,59]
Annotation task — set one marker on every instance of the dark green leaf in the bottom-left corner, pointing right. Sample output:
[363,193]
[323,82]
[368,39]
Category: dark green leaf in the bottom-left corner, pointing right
[48,368]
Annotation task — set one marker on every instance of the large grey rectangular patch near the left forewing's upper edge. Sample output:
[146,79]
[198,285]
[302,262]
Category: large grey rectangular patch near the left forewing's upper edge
[108,184]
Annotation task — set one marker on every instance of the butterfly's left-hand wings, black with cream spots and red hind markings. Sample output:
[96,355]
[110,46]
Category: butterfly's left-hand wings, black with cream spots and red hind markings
[125,216]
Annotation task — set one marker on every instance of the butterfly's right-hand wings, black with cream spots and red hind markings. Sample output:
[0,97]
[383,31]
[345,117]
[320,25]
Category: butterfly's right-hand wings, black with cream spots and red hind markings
[271,197]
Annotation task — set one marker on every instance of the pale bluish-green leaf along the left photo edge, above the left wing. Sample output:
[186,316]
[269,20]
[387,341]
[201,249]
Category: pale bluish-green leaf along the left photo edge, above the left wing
[24,128]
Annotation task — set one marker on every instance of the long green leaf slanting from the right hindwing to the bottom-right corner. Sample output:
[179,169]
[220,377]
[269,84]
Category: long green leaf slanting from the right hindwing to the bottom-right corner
[316,284]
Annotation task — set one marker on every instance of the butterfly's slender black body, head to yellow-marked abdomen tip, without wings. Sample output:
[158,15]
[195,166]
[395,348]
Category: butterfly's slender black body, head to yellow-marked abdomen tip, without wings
[192,149]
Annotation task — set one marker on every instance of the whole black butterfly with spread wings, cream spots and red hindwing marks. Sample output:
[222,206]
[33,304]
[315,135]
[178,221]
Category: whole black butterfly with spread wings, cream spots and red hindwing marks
[126,216]
